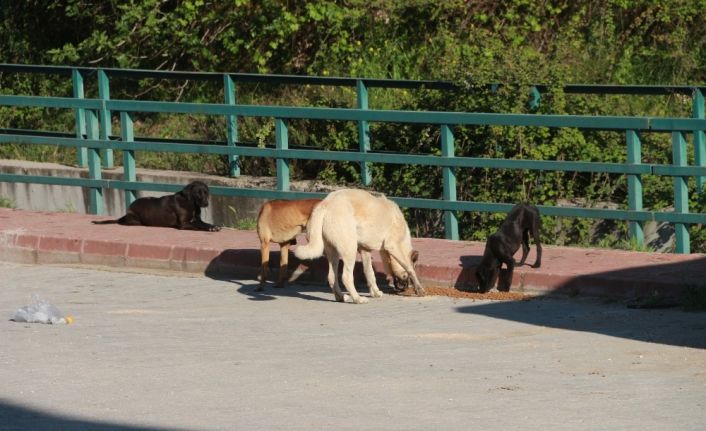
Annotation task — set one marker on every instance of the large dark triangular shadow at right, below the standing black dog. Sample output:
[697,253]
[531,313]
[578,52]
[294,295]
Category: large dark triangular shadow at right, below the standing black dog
[665,291]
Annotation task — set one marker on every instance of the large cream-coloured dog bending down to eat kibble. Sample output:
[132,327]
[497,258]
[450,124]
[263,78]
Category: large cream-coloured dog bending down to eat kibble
[350,220]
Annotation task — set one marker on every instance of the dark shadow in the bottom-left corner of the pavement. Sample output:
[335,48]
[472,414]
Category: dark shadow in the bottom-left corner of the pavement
[14,416]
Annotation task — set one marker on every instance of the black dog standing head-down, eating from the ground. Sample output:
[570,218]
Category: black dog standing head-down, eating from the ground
[502,245]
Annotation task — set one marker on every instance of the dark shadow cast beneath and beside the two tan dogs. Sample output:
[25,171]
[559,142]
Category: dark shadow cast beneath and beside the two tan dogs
[307,277]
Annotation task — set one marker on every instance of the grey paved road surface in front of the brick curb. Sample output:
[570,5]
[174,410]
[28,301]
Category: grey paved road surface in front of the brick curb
[188,352]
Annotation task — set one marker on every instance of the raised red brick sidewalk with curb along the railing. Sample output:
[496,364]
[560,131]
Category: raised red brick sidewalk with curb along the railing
[50,238]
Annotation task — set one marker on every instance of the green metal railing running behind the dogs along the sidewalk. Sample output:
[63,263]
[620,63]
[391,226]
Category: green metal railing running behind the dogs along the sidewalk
[94,143]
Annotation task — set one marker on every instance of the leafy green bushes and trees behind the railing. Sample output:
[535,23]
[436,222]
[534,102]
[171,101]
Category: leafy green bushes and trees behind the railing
[471,43]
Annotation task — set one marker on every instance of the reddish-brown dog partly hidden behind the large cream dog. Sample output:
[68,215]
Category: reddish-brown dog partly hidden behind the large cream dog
[280,221]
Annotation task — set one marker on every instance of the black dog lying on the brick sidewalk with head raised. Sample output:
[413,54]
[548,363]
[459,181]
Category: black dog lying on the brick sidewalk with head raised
[181,210]
